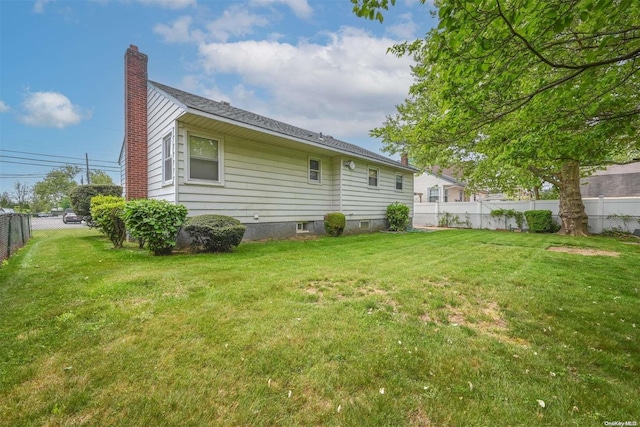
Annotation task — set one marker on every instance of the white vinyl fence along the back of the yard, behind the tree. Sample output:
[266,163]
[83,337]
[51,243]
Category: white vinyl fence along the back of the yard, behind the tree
[614,213]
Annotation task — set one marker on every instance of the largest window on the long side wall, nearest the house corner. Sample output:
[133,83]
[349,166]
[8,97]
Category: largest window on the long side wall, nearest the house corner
[204,159]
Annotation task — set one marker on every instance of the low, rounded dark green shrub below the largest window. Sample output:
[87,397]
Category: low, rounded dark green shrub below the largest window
[214,233]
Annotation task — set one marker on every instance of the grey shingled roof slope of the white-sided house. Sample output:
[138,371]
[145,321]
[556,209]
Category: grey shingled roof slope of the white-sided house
[243,117]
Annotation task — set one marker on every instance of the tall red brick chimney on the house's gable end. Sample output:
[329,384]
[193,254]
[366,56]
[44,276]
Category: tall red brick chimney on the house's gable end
[135,123]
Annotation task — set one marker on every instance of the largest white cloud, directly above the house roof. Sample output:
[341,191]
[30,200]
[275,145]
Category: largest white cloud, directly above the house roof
[342,88]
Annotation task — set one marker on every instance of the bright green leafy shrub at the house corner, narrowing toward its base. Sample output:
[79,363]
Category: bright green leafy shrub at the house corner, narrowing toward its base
[156,222]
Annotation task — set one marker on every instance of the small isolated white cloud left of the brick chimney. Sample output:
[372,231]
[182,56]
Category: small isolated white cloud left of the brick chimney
[50,109]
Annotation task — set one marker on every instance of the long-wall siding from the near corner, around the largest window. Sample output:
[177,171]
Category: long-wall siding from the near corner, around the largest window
[259,179]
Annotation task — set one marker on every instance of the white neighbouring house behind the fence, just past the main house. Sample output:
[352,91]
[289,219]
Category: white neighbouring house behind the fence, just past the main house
[440,186]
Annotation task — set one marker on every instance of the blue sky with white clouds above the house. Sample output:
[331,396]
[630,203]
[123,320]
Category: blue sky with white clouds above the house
[312,64]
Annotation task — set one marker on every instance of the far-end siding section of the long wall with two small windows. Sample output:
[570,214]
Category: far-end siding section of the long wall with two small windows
[360,202]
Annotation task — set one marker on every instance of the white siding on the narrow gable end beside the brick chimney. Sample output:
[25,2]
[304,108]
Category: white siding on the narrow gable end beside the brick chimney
[162,113]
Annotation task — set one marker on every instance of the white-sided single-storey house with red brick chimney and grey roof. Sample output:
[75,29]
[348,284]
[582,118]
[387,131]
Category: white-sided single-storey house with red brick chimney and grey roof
[277,179]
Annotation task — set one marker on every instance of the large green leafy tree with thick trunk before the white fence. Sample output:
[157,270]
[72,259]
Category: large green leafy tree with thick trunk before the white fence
[517,89]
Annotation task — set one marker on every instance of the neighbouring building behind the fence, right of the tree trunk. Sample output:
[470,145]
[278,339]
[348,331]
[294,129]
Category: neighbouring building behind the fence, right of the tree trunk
[615,181]
